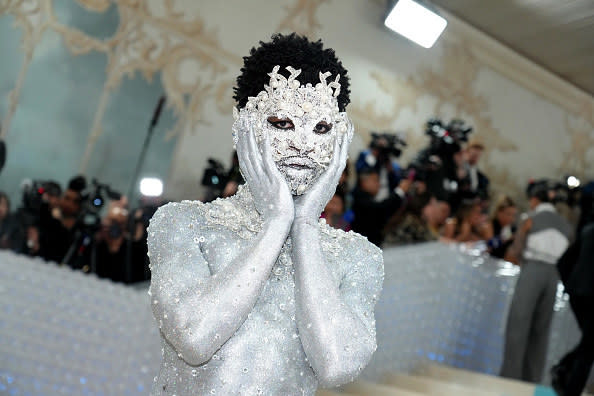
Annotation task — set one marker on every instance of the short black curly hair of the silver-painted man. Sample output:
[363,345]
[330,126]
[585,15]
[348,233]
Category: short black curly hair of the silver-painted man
[289,50]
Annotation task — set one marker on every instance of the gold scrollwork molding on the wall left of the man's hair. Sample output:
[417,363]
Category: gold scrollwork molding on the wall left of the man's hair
[148,40]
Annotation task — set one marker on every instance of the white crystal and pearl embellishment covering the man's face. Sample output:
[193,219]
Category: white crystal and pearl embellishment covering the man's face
[299,149]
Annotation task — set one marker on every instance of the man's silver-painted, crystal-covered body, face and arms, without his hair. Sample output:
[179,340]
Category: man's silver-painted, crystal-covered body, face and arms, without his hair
[254,294]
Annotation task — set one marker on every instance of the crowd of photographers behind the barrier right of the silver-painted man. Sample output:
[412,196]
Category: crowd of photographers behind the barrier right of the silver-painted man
[442,196]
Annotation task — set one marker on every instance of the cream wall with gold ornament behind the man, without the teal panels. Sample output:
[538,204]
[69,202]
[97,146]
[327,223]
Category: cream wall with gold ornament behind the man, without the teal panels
[533,123]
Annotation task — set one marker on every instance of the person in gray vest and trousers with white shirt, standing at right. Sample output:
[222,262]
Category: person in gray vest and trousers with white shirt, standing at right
[543,237]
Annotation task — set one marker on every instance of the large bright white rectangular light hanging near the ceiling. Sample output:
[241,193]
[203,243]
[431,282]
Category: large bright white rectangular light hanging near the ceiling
[416,23]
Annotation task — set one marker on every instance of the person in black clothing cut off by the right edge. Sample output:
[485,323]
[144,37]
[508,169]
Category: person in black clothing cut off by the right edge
[576,268]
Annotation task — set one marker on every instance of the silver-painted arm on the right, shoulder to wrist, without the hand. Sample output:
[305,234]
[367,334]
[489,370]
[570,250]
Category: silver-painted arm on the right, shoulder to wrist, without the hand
[335,316]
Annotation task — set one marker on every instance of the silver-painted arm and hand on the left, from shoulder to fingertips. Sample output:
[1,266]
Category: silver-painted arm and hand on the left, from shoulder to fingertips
[198,311]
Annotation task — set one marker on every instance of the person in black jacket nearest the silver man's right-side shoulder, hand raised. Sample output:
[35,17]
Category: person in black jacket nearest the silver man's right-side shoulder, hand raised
[370,214]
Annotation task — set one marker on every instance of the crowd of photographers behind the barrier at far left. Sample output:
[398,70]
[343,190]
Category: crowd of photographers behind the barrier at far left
[84,226]
